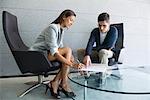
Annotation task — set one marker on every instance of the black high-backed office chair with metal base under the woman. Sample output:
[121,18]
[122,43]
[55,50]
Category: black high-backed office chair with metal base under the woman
[28,61]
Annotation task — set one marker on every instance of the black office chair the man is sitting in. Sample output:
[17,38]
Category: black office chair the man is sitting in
[118,47]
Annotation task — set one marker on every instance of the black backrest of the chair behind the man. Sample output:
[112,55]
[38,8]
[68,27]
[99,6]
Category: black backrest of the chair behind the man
[119,43]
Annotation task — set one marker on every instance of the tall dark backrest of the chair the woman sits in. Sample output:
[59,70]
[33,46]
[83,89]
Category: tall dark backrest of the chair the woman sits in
[10,27]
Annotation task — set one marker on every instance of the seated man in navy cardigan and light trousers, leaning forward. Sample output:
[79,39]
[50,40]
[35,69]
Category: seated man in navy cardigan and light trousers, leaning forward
[103,38]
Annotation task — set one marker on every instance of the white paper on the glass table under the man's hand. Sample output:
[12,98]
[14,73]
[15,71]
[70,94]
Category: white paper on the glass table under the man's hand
[95,67]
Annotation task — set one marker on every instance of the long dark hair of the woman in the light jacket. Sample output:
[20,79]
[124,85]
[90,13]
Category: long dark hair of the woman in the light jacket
[66,13]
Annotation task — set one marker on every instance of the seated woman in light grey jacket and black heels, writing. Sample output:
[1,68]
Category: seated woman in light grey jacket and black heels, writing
[51,40]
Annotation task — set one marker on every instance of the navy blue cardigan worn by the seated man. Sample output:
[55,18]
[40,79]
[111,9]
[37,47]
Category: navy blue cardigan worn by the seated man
[109,41]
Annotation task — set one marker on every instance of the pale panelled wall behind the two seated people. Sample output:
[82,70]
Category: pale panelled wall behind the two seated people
[34,15]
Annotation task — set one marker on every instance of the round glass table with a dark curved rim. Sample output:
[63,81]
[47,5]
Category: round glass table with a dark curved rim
[125,82]
